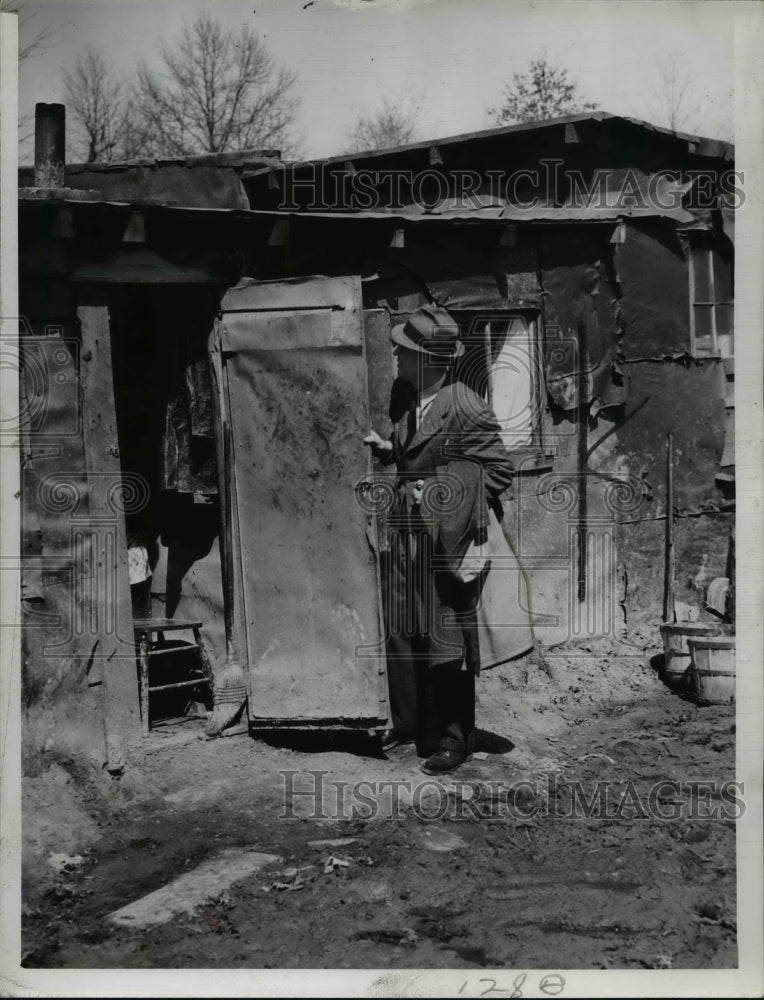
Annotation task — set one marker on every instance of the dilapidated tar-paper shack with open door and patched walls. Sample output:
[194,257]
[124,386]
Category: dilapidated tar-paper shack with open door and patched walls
[589,262]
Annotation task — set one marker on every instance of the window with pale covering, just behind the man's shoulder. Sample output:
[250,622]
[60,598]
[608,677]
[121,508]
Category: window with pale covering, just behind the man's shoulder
[502,364]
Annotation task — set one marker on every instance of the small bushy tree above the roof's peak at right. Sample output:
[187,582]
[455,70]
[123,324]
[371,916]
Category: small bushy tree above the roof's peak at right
[542,91]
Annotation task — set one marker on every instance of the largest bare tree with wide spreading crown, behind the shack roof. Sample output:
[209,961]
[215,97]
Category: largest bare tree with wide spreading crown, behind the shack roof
[216,90]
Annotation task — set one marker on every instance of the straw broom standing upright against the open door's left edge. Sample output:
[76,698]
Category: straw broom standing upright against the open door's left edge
[230,694]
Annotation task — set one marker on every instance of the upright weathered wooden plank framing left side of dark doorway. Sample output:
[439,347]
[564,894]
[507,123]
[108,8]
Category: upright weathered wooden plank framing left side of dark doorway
[109,613]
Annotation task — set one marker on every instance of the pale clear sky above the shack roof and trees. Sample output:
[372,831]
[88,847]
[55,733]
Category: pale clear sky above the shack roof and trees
[455,55]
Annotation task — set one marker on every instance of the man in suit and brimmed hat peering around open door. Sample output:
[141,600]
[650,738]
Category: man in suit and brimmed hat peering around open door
[451,468]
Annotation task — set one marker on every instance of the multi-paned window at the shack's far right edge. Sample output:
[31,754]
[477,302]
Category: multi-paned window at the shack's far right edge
[711,299]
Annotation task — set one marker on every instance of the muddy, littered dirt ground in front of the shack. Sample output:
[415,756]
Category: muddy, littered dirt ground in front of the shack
[516,880]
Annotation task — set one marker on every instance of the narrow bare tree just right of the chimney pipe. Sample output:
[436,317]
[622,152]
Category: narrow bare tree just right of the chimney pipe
[95,101]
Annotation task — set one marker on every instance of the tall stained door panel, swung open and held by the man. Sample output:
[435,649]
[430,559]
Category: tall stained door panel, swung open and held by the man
[295,392]
